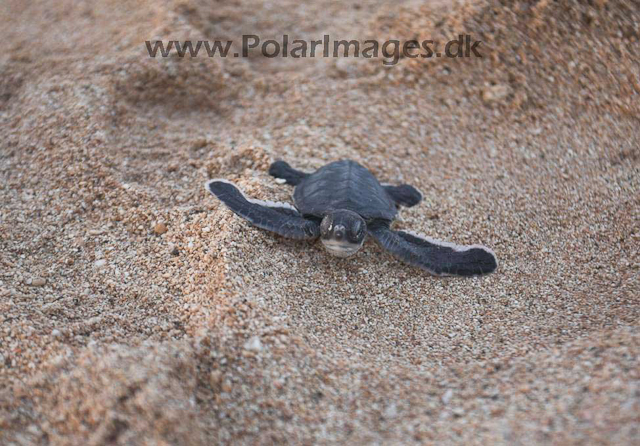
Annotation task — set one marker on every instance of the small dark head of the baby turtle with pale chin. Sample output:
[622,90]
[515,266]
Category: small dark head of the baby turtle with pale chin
[342,232]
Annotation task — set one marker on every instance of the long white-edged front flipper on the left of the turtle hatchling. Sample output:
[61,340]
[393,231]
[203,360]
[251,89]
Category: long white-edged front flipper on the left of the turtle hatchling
[280,218]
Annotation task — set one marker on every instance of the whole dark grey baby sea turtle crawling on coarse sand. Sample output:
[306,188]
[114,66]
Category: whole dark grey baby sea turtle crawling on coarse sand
[341,203]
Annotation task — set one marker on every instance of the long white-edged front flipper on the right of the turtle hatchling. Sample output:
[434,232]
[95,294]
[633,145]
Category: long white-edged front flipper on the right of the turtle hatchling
[436,257]
